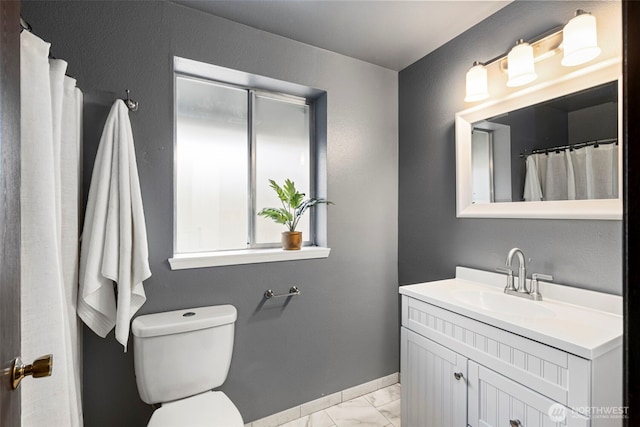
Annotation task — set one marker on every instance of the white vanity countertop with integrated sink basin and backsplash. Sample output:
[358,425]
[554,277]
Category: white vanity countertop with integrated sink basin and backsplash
[588,330]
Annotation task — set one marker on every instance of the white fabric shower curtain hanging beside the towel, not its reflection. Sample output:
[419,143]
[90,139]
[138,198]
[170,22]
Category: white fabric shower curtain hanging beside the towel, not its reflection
[51,108]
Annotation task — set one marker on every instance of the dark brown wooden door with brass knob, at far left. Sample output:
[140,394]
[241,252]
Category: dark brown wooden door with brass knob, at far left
[9,207]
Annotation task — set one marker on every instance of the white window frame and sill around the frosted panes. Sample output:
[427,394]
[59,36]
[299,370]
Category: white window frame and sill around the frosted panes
[314,246]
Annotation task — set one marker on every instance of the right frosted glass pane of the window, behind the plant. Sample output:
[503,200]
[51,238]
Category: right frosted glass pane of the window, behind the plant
[282,151]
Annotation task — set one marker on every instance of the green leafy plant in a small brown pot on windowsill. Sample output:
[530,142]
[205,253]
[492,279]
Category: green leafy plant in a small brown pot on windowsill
[293,207]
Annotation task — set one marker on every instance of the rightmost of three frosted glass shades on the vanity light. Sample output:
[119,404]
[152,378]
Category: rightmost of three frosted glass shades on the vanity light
[580,39]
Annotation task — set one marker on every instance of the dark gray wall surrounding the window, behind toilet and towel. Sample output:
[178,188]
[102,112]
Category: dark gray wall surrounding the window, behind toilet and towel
[343,329]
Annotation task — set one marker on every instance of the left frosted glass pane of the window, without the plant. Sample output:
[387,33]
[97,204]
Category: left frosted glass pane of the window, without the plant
[211,167]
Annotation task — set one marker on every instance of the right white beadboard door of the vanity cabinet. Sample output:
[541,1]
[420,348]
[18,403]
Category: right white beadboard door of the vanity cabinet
[496,401]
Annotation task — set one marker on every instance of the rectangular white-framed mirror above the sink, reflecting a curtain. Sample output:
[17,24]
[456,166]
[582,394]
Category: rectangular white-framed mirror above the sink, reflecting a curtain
[546,151]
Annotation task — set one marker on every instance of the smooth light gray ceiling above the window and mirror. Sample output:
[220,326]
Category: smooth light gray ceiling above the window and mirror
[389,33]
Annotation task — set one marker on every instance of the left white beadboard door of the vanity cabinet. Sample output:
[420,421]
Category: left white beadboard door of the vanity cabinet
[434,383]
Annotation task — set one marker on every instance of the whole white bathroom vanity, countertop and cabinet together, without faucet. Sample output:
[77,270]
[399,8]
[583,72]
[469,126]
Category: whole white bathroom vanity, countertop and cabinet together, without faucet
[472,355]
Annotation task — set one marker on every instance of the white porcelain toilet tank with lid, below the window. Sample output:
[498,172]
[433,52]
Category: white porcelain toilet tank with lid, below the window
[184,352]
